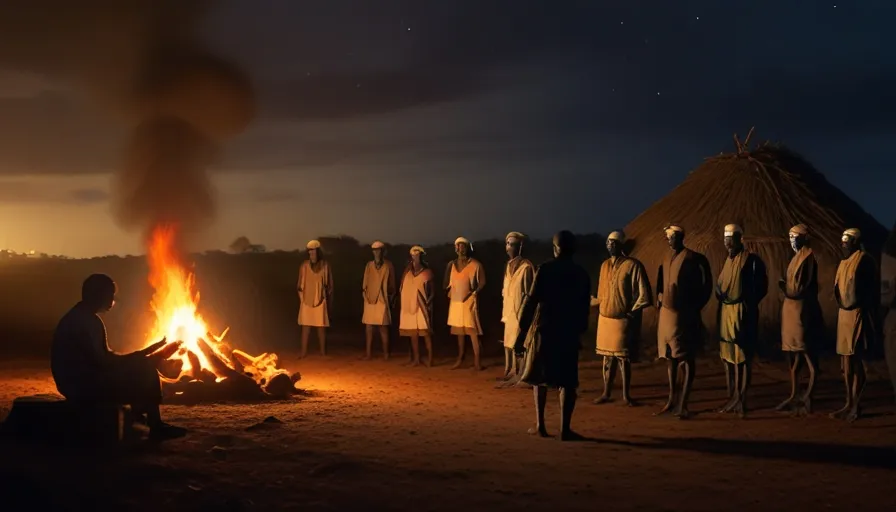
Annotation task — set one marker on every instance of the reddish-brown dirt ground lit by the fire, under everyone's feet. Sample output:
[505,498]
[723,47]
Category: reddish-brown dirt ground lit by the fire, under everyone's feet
[386,437]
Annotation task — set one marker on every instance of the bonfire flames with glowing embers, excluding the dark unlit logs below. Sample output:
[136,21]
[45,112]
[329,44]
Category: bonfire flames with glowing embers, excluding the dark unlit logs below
[175,304]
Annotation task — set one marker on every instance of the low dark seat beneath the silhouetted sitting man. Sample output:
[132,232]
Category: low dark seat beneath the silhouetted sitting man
[55,420]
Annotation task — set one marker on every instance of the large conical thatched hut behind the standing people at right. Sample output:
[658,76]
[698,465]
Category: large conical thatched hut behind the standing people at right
[766,190]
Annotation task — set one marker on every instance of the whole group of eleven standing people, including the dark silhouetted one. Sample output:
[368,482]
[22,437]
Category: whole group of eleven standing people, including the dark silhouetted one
[546,309]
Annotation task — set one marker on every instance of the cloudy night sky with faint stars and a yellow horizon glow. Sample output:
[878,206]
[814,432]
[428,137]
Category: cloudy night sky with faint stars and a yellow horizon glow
[418,121]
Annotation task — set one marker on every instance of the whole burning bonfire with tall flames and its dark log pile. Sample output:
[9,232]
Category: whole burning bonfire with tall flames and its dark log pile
[205,367]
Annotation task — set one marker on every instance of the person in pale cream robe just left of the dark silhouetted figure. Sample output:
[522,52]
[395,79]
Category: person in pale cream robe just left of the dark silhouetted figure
[518,275]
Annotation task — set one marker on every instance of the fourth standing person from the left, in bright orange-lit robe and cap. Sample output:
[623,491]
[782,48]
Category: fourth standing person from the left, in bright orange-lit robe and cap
[464,279]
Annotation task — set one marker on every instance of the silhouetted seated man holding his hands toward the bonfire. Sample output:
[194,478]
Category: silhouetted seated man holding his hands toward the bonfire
[86,370]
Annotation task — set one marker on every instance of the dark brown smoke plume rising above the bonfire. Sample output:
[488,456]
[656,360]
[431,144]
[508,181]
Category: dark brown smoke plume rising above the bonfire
[145,61]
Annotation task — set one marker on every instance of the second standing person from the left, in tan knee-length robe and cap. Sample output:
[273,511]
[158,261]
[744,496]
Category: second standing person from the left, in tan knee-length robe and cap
[378,290]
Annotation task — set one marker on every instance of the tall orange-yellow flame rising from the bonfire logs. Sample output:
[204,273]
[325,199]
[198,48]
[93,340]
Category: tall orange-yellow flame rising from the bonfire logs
[175,305]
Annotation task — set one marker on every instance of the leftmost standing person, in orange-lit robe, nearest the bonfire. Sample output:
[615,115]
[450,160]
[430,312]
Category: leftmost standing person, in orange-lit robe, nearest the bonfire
[315,290]
